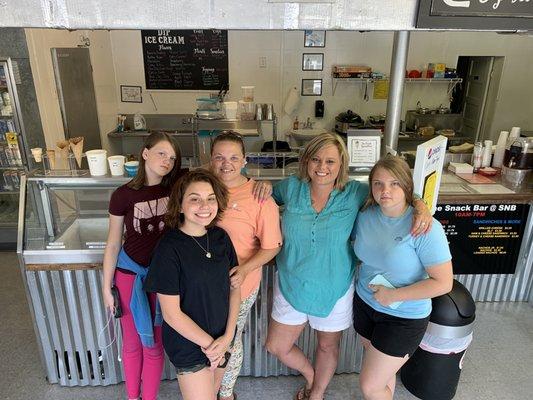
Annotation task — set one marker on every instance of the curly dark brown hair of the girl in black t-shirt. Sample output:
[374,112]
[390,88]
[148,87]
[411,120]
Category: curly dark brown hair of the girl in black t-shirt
[174,216]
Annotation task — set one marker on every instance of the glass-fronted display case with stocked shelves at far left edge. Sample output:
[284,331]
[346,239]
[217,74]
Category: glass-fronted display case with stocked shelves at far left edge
[13,161]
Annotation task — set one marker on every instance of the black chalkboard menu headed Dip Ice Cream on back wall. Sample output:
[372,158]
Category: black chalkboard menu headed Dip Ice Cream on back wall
[185,59]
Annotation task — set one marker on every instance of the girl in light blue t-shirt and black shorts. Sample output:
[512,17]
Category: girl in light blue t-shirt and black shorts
[398,276]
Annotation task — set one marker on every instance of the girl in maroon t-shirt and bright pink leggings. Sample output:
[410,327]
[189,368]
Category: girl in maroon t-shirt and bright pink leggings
[136,212]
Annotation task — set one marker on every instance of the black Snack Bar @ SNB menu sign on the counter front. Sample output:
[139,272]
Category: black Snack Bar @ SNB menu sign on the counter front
[483,238]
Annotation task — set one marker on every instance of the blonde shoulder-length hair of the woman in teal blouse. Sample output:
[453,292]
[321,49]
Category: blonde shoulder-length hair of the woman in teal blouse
[317,144]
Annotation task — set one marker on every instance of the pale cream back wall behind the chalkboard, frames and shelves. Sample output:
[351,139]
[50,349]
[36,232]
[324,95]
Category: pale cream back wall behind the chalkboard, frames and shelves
[283,51]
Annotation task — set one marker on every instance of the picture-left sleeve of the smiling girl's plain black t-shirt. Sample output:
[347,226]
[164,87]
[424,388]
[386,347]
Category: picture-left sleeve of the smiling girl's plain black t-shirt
[163,275]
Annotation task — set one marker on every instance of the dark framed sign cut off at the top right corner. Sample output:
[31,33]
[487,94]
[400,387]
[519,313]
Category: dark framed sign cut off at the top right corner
[475,14]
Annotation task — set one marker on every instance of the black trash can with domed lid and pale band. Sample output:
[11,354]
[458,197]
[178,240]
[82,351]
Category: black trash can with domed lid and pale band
[432,373]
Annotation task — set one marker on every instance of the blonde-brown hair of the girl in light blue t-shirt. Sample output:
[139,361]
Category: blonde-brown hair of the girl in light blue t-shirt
[398,168]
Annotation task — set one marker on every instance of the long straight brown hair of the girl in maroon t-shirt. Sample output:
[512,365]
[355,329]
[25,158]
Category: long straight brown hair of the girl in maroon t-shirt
[169,179]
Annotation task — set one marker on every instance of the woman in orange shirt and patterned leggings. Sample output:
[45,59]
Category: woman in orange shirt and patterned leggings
[254,229]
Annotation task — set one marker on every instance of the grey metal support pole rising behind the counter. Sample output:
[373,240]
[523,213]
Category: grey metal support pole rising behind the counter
[397,75]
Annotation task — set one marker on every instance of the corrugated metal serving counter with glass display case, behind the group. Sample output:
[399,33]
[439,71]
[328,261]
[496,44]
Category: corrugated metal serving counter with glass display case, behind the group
[62,232]
